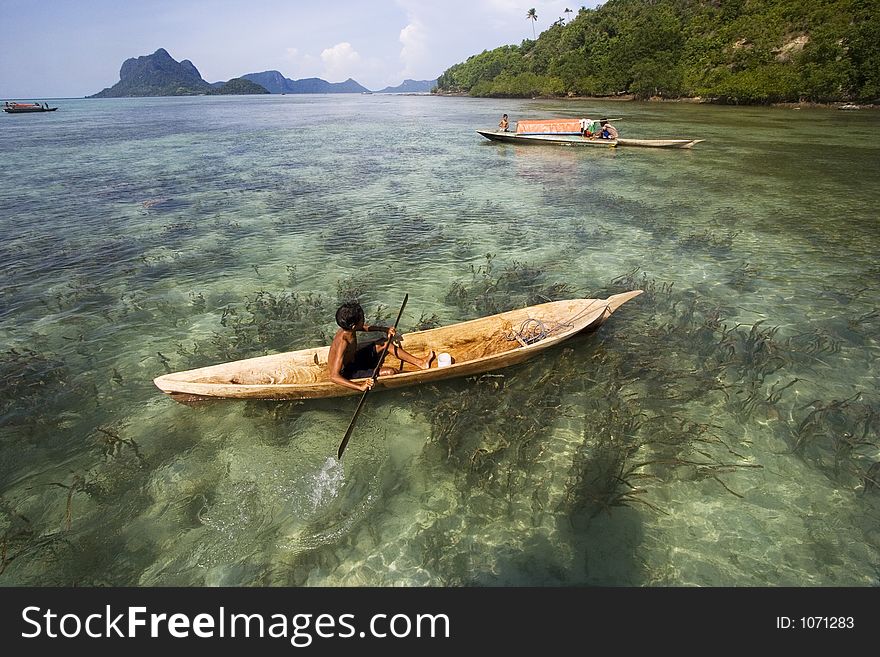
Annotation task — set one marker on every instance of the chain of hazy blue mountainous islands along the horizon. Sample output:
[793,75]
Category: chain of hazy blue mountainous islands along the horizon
[160,74]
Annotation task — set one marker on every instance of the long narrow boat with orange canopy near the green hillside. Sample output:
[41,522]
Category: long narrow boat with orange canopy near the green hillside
[575,132]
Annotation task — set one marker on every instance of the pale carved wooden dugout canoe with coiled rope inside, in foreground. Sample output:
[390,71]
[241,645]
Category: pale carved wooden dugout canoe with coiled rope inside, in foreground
[476,346]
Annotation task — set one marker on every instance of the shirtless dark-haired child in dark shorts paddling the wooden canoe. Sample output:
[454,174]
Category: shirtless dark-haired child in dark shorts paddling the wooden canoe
[346,361]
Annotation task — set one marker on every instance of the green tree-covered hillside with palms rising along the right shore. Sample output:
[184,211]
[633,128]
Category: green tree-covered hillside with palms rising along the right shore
[735,51]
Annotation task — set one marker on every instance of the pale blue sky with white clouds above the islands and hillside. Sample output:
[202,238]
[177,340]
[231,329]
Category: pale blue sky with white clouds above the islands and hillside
[75,48]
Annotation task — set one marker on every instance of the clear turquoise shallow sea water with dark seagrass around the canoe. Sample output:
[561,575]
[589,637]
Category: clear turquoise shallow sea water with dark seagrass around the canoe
[721,429]
